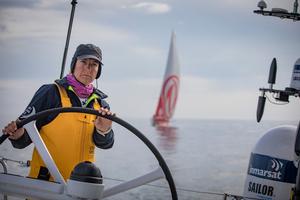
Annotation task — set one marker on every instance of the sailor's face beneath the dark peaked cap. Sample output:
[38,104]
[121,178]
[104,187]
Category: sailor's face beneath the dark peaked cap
[86,70]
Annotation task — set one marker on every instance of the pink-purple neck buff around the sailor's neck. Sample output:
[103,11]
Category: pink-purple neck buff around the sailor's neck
[81,90]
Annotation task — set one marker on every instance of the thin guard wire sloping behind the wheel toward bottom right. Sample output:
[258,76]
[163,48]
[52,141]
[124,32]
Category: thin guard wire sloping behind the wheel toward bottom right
[188,190]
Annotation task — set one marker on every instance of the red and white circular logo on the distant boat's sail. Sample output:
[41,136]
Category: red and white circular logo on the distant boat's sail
[169,95]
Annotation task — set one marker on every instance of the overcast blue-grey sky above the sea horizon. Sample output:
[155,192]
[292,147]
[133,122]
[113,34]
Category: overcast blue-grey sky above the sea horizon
[225,51]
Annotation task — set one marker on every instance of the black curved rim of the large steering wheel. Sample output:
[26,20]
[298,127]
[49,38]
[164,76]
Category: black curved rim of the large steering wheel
[121,122]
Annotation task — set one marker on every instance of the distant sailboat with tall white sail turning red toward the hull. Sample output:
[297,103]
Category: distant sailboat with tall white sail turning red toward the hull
[169,92]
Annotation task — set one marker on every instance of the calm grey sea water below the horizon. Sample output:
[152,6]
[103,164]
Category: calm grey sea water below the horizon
[206,157]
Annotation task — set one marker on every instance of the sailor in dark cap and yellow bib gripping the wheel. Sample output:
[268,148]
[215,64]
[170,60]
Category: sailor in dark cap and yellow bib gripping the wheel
[70,137]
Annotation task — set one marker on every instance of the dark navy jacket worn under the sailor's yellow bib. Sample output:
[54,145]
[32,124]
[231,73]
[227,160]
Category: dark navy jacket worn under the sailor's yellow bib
[47,97]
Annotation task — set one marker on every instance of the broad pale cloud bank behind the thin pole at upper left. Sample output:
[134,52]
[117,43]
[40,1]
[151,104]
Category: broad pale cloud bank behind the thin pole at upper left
[34,23]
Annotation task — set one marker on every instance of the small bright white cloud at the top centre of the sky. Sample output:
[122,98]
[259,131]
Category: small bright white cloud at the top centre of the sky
[152,8]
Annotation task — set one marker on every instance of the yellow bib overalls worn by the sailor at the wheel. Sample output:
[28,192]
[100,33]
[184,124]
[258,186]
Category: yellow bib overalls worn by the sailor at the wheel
[68,139]
